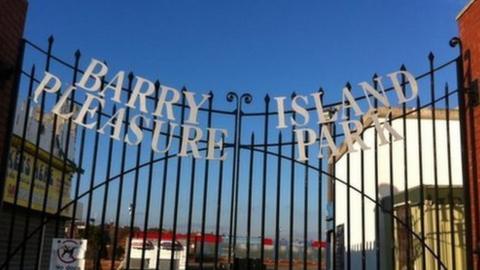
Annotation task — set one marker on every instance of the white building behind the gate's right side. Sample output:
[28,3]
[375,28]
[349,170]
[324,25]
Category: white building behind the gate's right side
[385,181]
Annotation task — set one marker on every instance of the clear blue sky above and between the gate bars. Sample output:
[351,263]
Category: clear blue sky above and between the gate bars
[274,47]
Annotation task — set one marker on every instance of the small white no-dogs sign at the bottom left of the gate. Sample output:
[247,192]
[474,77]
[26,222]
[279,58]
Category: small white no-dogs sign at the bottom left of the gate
[68,254]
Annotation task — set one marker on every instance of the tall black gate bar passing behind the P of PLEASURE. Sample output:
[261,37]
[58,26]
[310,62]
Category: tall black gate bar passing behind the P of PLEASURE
[35,161]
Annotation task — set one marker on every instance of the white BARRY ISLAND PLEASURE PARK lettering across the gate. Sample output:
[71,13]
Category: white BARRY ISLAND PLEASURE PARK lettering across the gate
[160,114]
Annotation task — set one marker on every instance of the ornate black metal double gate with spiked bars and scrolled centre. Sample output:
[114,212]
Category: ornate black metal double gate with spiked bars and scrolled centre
[400,205]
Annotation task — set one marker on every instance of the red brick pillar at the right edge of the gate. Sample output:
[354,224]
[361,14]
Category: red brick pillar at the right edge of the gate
[469,27]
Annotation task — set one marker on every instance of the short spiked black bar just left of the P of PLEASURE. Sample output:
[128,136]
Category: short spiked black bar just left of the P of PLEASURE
[20,165]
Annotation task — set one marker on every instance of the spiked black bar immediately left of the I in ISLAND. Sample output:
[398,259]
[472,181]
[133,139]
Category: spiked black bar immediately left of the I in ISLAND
[264,176]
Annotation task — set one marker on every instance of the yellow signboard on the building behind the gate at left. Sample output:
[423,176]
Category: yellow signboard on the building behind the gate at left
[41,185]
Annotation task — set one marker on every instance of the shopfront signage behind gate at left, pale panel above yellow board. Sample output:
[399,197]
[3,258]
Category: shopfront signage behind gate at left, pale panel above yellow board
[43,174]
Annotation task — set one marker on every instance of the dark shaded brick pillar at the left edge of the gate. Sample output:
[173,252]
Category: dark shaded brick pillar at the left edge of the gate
[12,22]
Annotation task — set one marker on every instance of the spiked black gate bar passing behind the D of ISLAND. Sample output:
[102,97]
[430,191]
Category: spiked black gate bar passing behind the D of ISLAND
[405,174]
